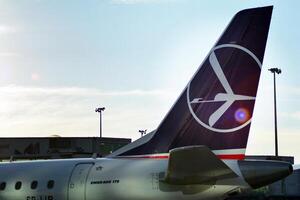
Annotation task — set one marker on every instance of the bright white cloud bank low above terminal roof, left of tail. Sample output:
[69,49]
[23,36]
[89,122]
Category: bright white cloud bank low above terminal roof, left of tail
[69,111]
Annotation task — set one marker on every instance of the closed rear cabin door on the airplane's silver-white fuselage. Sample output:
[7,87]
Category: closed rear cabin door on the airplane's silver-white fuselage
[77,183]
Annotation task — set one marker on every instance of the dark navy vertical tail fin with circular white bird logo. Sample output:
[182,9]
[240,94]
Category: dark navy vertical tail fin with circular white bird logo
[216,107]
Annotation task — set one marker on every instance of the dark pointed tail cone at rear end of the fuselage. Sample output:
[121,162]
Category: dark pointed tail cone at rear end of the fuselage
[262,173]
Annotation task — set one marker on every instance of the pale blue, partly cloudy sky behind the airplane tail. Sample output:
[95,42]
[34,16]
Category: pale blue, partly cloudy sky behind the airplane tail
[59,60]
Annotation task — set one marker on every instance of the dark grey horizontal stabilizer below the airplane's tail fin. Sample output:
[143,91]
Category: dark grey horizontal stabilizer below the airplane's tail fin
[195,165]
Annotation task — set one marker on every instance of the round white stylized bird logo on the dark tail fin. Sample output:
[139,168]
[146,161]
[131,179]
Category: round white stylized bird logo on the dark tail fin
[221,96]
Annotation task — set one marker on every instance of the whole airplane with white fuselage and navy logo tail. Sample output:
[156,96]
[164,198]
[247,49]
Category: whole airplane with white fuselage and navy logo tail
[197,151]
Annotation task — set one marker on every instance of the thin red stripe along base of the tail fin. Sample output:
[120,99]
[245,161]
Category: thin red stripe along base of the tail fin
[220,156]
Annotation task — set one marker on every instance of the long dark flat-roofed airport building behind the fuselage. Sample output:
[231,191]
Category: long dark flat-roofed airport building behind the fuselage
[58,147]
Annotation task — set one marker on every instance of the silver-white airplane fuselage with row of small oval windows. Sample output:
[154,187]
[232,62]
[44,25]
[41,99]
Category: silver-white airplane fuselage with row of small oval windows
[102,179]
